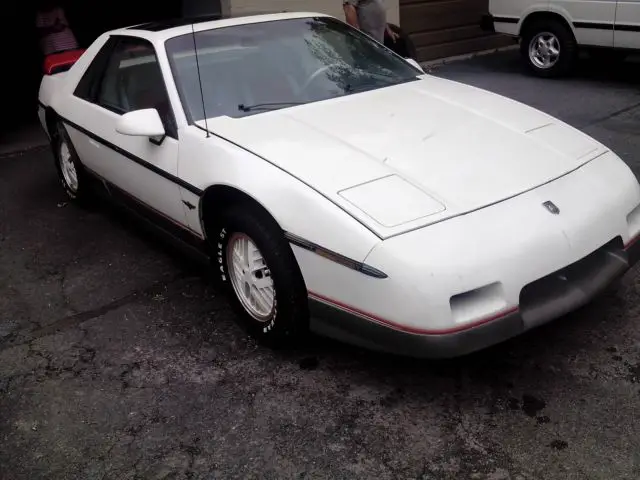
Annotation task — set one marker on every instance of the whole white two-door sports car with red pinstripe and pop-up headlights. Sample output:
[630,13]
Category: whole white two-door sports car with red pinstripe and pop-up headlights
[337,188]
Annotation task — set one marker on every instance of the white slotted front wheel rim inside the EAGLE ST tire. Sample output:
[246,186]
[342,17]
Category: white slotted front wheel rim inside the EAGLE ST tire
[250,277]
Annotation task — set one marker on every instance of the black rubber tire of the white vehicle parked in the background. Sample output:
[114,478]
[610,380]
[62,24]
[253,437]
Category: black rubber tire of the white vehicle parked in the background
[561,36]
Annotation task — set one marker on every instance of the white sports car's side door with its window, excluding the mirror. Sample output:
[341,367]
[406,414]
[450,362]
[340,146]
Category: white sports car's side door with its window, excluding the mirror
[126,76]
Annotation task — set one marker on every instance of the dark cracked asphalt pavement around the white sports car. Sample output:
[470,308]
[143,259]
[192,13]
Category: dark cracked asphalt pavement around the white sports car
[118,359]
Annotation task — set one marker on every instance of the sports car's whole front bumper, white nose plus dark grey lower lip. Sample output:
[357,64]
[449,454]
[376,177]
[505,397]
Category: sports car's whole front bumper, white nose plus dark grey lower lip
[477,279]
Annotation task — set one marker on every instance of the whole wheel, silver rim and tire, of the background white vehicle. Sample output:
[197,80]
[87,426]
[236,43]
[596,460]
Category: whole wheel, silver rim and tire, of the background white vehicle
[549,48]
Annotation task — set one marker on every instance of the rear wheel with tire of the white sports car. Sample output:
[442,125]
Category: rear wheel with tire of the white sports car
[70,171]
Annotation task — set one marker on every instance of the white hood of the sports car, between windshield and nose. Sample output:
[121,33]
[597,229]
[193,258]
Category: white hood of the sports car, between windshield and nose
[409,155]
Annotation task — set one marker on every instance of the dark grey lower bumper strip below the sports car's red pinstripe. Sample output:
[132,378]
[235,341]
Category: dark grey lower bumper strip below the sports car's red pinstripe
[540,302]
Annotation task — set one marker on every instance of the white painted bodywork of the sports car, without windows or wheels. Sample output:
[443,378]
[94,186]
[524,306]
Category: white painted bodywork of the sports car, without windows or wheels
[438,185]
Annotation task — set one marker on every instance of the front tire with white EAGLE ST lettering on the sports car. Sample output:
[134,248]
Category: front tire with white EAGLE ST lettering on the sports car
[287,321]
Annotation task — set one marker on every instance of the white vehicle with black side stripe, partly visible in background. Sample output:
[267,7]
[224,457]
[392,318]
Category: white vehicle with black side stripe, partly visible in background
[552,31]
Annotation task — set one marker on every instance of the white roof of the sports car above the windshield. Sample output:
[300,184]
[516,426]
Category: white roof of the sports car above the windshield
[162,30]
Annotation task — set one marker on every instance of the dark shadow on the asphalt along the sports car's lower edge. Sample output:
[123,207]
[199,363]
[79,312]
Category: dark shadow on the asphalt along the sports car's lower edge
[571,336]
